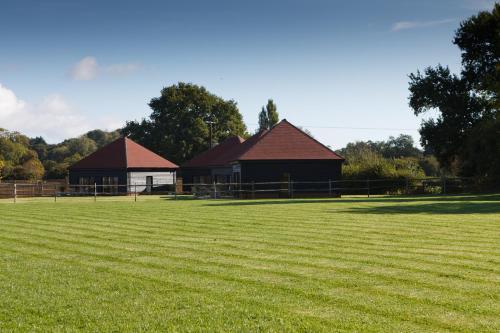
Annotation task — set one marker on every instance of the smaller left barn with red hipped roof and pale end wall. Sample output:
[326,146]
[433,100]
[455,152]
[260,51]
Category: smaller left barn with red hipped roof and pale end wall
[123,162]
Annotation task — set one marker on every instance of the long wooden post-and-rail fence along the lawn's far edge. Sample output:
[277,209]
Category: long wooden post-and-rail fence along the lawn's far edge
[285,189]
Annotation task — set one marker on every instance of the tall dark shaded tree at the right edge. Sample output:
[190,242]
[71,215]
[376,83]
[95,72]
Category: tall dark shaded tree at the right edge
[465,101]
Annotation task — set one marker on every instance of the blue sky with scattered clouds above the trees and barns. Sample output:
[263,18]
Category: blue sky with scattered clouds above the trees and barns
[338,68]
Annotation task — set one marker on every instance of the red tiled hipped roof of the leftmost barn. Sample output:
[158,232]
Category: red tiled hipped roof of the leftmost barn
[123,153]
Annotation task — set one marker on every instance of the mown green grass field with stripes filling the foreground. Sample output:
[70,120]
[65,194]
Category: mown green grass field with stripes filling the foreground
[350,264]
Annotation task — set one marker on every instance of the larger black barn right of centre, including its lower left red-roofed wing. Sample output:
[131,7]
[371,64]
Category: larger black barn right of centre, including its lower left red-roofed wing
[282,153]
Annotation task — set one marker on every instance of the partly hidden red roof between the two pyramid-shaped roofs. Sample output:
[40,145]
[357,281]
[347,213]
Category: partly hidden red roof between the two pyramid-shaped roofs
[220,155]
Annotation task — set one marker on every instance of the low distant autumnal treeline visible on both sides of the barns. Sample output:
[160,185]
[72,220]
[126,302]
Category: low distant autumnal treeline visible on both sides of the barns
[22,157]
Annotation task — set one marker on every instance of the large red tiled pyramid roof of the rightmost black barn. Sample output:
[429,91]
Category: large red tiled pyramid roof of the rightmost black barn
[287,142]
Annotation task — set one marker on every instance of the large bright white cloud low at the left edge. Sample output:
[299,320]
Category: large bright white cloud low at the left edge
[53,118]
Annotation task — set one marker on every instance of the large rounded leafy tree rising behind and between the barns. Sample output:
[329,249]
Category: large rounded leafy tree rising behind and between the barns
[182,118]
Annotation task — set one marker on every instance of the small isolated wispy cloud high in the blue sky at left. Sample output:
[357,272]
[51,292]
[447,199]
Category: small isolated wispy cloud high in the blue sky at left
[88,69]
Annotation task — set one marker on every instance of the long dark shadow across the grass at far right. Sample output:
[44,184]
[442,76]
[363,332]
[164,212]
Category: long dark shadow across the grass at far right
[468,204]
